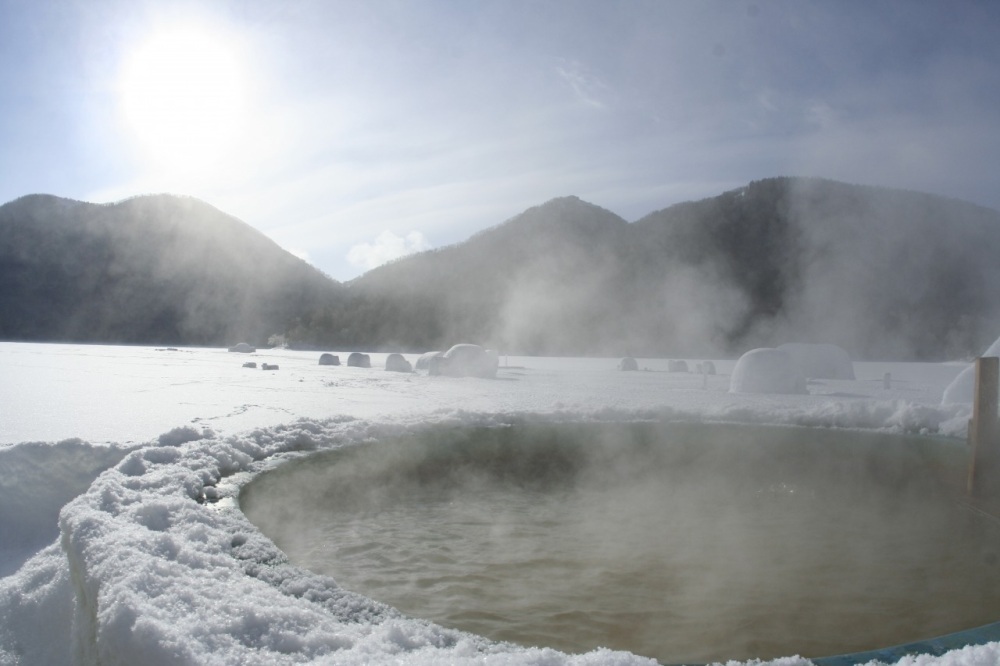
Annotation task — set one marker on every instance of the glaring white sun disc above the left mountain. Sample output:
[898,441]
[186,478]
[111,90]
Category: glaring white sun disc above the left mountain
[183,97]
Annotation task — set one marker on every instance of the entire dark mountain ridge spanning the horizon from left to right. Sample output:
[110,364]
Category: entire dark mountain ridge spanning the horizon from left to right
[886,274]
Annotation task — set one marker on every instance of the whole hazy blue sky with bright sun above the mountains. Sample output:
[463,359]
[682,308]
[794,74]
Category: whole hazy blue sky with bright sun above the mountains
[351,132]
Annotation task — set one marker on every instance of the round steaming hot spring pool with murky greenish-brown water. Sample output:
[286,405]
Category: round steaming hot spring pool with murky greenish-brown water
[682,542]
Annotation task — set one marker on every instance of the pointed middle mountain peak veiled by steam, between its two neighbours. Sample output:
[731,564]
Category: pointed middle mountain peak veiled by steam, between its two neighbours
[467,291]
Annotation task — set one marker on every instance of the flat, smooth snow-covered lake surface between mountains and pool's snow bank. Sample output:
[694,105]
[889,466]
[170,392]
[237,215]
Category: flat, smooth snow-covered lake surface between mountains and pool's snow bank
[134,394]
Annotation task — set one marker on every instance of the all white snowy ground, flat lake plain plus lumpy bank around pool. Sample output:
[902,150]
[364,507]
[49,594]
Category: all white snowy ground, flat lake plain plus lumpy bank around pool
[121,540]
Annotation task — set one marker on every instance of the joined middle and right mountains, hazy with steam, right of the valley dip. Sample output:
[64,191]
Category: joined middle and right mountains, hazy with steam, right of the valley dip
[886,274]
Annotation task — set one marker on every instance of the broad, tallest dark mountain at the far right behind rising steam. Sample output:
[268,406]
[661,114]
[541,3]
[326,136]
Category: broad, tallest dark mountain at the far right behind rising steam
[883,273]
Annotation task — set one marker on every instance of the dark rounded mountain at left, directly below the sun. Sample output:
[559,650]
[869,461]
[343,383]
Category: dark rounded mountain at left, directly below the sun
[158,269]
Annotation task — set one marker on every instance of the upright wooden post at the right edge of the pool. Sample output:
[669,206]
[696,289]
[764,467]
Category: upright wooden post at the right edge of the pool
[984,467]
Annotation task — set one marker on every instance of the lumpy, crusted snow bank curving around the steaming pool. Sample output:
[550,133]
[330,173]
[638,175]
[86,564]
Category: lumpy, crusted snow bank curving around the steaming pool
[156,564]
